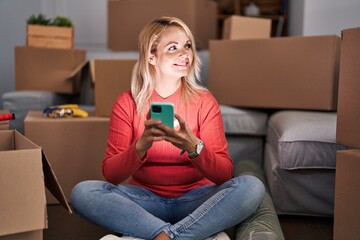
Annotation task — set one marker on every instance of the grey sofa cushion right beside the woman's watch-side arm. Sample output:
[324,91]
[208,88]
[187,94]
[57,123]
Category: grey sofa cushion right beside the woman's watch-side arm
[243,121]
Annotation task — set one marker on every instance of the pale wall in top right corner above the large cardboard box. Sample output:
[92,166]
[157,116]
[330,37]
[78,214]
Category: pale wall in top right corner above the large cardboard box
[322,17]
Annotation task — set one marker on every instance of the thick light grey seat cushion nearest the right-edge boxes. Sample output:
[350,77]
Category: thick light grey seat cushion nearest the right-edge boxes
[304,139]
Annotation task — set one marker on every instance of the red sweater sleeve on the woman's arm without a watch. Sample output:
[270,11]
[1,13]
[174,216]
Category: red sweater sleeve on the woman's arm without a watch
[121,159]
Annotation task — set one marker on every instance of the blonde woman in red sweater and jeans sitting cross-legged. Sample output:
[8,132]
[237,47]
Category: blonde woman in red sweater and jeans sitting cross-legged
[180,180]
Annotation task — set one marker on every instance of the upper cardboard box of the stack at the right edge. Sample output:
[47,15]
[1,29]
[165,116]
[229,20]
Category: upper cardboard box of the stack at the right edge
[348,114]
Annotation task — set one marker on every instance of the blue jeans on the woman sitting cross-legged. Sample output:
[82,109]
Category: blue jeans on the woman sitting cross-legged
[137,212]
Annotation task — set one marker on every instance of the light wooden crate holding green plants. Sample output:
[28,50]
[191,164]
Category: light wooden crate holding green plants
[49,36]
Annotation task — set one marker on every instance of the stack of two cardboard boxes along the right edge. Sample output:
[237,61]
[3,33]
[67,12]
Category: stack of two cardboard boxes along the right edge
[347,196]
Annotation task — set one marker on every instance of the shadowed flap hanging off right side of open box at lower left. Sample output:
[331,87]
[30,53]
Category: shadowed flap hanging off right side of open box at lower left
[52,184]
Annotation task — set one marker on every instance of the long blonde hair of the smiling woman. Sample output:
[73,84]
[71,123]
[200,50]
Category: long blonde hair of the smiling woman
[143,75]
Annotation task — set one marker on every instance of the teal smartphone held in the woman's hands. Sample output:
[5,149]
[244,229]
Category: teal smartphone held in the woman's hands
[163,111]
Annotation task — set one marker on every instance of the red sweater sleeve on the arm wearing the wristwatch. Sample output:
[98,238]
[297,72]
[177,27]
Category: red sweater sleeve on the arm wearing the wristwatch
[214,161]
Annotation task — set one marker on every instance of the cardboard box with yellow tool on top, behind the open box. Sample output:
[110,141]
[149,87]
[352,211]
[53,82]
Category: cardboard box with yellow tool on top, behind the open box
[75,146]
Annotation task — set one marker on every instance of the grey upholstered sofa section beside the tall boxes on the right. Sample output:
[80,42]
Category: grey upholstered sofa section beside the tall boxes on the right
[300,161]
